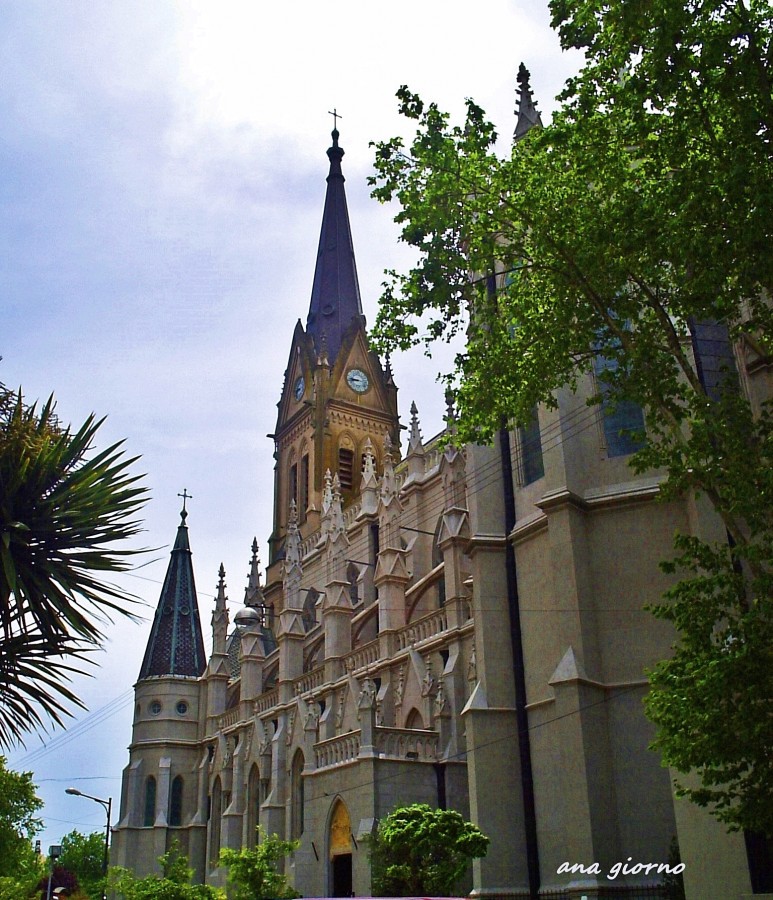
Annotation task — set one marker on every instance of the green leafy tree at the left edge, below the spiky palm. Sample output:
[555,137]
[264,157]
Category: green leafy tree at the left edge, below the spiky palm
[18,823]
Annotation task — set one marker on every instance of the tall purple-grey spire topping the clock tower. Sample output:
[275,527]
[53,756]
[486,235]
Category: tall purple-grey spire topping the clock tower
[335,294]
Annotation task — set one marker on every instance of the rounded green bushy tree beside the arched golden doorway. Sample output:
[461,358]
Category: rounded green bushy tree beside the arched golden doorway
[419,850]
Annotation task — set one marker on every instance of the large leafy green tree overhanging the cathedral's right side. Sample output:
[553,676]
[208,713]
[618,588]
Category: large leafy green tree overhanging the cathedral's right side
[641,213]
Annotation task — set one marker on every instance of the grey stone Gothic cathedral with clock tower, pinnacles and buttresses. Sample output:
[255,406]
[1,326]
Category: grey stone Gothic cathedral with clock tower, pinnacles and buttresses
[459,626]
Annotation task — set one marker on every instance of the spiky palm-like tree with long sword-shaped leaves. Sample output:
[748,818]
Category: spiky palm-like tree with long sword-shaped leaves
[62,507]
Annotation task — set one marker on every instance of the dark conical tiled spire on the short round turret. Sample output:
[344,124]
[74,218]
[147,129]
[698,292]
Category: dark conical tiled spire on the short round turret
[176,646]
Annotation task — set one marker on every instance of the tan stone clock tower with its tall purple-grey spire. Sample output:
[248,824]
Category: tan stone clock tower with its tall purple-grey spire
[336,395]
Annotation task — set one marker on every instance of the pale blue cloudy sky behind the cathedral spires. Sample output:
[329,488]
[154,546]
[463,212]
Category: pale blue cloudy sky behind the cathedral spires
[162,174]
